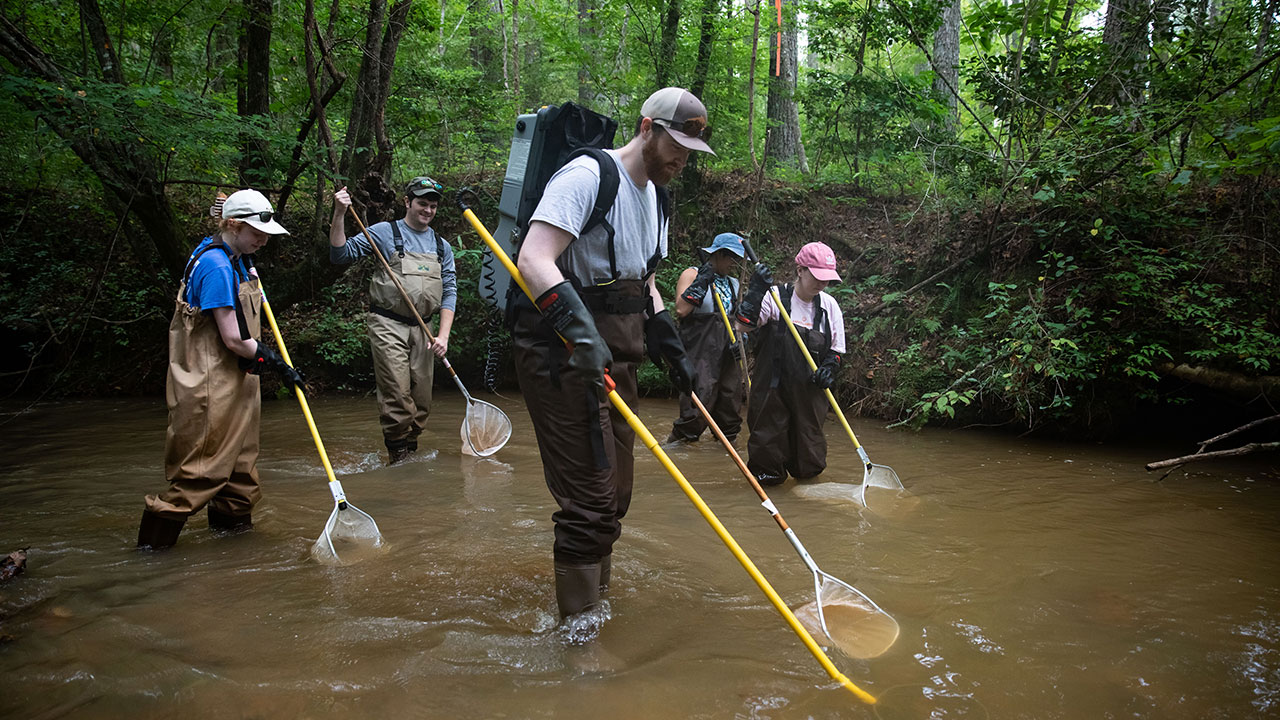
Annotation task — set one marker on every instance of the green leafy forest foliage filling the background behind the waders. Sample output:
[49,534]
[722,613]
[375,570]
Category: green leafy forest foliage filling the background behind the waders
[1121,233]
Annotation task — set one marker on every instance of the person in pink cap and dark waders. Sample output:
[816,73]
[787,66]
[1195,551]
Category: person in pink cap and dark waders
[788,405]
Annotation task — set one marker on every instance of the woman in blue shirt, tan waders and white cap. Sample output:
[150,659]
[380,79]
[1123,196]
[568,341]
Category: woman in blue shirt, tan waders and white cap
[213,386]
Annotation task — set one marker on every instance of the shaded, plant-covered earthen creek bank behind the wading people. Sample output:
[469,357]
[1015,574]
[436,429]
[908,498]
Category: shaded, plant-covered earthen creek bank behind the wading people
[1053,318]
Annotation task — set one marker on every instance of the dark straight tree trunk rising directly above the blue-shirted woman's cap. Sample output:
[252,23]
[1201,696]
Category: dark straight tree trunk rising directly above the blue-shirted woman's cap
[255,90]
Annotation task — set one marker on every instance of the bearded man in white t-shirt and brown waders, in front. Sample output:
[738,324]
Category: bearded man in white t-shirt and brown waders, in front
[597,290]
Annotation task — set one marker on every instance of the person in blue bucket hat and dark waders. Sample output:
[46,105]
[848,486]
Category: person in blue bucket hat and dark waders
[719,380]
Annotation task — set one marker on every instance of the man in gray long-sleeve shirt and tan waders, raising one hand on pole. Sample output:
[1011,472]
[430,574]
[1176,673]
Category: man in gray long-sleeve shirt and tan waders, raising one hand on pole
[404,358]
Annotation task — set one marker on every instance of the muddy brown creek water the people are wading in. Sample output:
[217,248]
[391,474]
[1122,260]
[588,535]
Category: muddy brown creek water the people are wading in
[1031,581]
